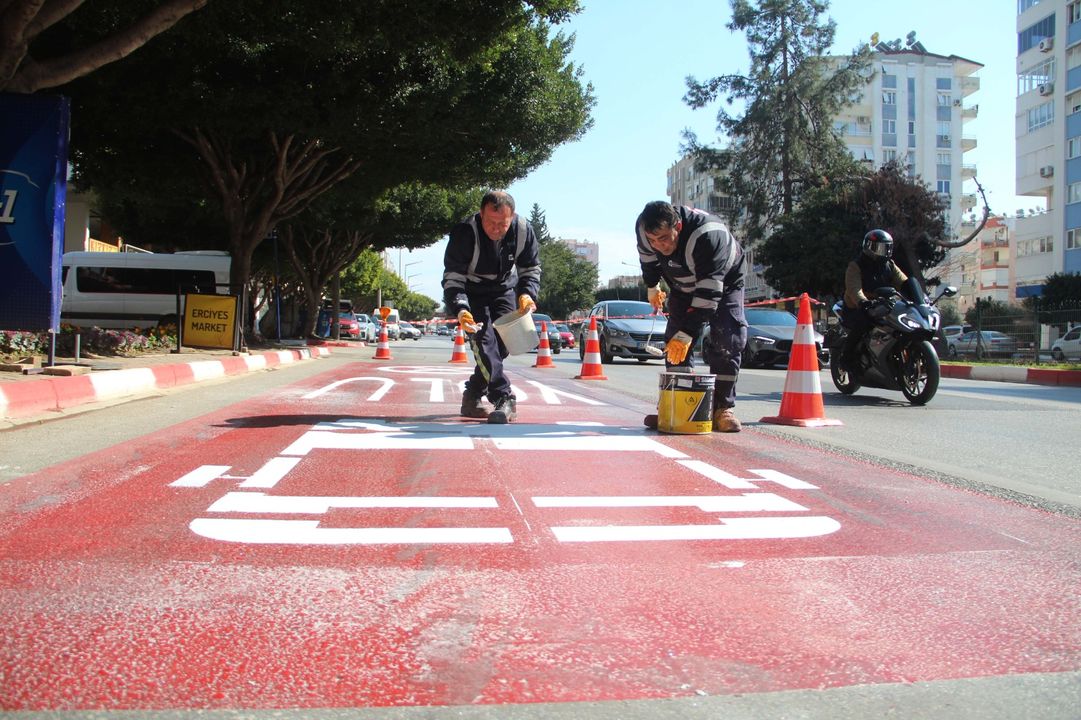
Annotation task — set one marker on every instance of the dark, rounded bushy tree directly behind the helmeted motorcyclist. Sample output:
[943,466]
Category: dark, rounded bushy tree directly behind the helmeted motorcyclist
[812,246]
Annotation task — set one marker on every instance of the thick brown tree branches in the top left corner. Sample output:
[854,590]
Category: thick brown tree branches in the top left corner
[33,59]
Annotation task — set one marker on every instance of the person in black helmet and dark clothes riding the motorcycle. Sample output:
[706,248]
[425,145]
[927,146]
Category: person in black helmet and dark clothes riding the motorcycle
[873,269]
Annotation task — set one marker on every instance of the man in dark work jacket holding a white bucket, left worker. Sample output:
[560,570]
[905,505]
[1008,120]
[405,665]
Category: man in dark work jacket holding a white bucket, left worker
[492,266]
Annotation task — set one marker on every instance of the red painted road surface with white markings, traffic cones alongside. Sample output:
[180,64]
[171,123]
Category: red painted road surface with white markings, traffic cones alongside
[351,542]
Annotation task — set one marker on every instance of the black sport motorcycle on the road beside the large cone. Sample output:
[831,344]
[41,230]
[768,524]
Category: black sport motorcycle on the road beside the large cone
[897,354]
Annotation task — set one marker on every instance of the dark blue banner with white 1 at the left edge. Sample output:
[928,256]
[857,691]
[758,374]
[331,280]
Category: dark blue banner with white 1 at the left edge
[34,150]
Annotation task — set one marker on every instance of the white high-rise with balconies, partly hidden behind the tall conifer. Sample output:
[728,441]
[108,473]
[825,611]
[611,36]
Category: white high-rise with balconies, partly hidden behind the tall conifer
[913,110]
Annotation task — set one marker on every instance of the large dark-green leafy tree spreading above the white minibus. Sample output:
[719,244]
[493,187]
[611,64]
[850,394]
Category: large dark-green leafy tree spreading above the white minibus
[261,109]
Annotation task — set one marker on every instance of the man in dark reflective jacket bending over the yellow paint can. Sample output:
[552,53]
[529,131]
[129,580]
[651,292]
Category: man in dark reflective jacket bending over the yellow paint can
[702,263]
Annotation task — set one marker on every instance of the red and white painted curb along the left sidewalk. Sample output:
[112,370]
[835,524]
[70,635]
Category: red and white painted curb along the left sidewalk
[20,401]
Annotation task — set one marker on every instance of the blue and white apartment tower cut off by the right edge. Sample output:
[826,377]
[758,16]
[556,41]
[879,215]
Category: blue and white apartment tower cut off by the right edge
[1049,141]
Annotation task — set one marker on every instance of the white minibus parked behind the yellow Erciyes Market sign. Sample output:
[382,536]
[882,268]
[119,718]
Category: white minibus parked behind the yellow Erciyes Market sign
[137,290]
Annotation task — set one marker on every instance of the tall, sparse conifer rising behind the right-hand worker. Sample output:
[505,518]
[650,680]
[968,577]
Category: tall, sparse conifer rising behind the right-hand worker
[784,143]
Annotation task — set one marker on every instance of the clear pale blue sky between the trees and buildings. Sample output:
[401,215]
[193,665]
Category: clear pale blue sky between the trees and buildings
[638,54]
